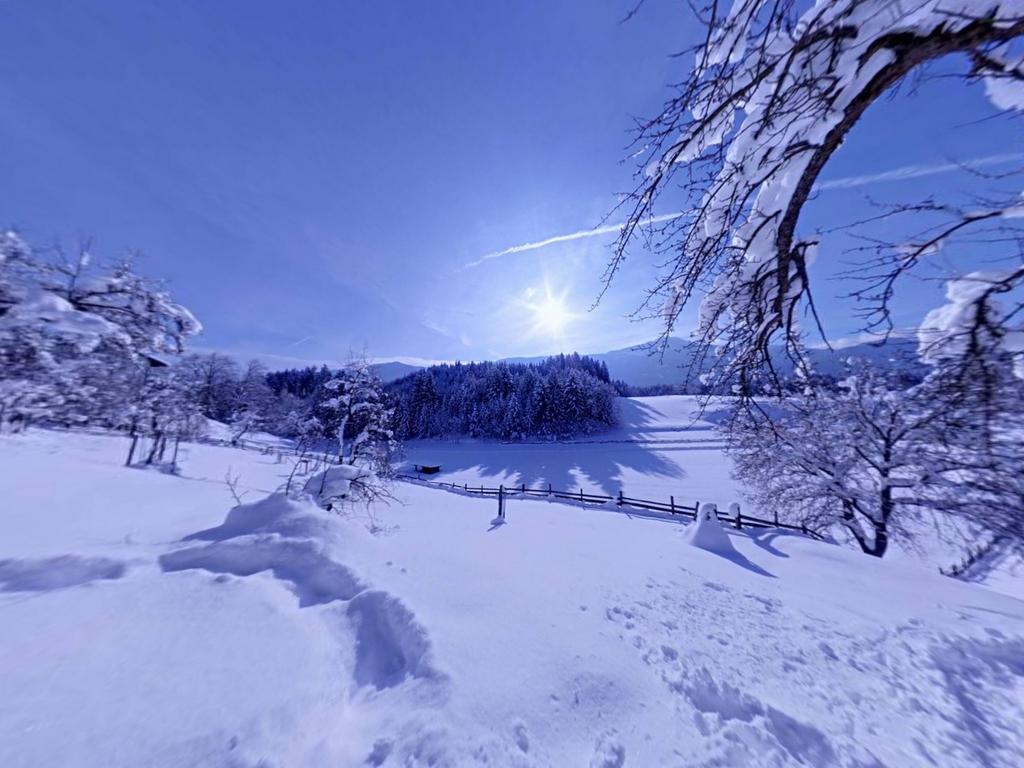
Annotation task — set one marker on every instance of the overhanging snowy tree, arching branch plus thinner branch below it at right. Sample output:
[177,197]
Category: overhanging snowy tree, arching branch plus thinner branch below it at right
[776,89]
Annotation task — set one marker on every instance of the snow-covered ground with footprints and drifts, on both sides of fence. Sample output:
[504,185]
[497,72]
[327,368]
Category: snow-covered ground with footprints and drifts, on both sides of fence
[145,624]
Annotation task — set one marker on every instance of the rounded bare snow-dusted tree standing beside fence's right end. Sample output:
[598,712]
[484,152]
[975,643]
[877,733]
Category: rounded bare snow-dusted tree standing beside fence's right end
[855,460]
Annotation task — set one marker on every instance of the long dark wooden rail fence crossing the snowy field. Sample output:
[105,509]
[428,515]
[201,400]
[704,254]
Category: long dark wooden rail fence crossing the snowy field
[674,508]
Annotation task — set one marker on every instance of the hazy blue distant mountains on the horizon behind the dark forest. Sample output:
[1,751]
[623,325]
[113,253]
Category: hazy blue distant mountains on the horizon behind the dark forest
[637,366]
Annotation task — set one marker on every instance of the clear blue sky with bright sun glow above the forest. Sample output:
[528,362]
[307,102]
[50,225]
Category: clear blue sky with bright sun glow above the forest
[316,178]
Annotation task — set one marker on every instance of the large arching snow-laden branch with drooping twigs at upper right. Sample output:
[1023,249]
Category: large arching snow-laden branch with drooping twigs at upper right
[774,91]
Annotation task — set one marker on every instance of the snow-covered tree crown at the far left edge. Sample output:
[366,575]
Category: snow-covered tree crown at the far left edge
[67,324]
